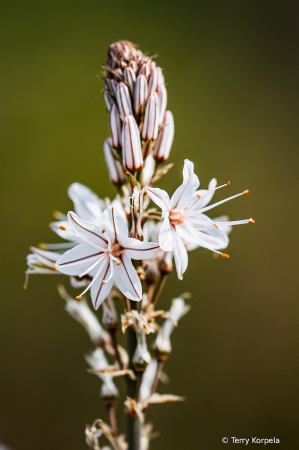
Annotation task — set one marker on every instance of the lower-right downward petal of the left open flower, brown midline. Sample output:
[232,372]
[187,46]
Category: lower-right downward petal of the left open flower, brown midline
[127,280]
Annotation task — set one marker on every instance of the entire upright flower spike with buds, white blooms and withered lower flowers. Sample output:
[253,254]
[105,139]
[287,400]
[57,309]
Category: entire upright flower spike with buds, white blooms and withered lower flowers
[123,250]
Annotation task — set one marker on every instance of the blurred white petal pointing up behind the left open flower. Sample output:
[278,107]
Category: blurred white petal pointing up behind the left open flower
[86,202]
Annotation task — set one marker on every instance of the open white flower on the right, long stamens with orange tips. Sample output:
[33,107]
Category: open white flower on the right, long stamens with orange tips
[184,218]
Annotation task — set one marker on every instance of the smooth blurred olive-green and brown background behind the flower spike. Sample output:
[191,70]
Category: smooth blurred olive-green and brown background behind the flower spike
[232,76]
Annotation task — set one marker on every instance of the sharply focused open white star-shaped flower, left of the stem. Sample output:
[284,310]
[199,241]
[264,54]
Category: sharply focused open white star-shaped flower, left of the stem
[105,252]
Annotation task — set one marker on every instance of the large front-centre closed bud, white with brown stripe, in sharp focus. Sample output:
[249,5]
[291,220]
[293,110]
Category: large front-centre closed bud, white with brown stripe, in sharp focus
[132,156]
